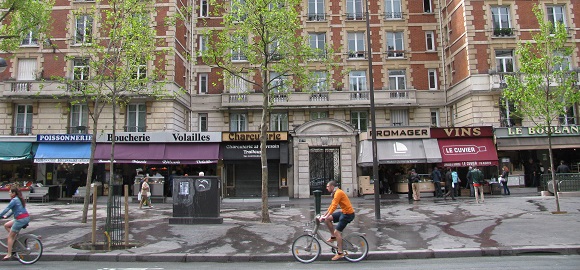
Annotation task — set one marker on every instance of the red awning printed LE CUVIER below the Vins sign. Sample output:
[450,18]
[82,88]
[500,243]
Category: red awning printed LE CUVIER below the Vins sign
[468,152]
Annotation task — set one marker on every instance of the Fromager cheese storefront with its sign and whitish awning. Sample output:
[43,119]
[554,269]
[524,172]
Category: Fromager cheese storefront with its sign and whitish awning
[399,149]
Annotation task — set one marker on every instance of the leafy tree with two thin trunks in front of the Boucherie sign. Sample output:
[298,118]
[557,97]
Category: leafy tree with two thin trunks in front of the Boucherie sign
[121,61]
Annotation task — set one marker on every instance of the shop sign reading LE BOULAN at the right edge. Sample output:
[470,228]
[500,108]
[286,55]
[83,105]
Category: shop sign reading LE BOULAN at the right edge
[559,131]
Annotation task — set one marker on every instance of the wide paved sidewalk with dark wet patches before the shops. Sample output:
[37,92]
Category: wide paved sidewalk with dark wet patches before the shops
[431,228]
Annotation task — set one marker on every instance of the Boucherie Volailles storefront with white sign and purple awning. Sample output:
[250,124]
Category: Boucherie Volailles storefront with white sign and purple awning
[159,154]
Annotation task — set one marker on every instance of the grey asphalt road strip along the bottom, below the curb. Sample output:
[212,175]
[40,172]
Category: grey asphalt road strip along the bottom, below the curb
[536,262]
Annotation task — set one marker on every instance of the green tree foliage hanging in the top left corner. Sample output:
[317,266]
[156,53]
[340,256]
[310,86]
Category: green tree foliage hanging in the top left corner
[23,18]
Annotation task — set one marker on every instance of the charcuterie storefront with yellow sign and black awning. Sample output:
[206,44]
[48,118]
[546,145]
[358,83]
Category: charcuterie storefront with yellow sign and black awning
[242,164]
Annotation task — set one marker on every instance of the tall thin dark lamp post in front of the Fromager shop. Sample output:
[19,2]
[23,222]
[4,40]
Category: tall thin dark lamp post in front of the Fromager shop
[373,117]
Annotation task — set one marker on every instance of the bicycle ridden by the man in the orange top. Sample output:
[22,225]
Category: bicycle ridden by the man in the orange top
[306,248]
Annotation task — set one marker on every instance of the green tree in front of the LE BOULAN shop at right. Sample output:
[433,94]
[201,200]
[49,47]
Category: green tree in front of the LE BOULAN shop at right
[545,88]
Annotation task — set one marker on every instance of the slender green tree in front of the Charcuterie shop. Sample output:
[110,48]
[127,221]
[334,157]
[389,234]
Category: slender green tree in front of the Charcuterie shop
[260,43]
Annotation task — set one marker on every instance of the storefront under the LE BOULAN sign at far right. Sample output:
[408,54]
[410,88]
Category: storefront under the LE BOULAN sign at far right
[525,151]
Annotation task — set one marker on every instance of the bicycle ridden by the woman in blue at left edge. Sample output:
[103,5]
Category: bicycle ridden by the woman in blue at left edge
[27,248]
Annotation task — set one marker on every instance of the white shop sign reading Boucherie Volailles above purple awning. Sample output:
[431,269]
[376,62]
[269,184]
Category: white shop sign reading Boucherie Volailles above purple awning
[160,137]
